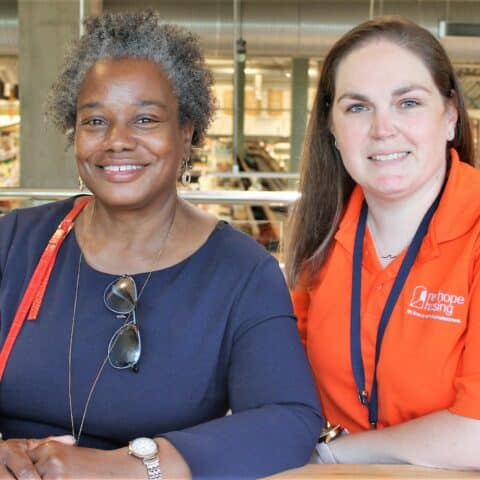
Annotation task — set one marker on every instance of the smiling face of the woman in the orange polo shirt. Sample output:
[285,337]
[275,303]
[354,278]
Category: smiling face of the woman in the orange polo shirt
[390,122]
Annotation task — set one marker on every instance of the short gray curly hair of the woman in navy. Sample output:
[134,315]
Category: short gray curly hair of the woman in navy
[139,35]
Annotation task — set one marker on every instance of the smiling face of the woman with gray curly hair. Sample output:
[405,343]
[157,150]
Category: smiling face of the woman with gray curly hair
[128,140]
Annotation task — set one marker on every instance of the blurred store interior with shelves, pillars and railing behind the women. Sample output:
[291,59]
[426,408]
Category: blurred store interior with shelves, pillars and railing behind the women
[264,94]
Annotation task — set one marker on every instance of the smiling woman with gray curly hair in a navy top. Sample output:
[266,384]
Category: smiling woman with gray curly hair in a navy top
[148,323]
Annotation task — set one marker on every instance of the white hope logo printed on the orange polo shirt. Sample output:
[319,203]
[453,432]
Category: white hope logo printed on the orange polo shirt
[437,305]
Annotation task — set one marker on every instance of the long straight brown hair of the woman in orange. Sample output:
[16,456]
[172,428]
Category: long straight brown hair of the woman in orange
[325,185]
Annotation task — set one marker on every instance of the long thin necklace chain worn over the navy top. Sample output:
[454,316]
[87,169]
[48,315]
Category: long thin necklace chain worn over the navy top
[72,329]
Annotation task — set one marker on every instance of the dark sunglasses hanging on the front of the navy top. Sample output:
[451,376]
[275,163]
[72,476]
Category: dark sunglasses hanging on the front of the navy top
[125,346]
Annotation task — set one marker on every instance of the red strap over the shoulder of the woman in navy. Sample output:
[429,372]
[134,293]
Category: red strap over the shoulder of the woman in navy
[33,296]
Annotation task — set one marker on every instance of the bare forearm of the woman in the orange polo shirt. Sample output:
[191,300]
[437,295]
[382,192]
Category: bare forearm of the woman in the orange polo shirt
[440,439]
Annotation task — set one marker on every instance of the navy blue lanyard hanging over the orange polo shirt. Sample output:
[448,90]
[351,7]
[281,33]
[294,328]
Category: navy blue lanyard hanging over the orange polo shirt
[355,340]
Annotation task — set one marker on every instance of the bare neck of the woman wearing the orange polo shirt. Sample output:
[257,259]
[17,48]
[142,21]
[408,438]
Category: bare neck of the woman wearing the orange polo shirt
[393,223]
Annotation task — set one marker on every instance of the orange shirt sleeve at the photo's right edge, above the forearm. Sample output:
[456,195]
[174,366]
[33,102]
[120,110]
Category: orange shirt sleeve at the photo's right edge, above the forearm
[467,383]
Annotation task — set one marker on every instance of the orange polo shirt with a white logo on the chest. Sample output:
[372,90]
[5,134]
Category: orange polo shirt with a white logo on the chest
[430,355]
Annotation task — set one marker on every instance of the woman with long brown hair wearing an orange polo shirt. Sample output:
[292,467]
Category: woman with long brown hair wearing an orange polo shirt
[384,252]
